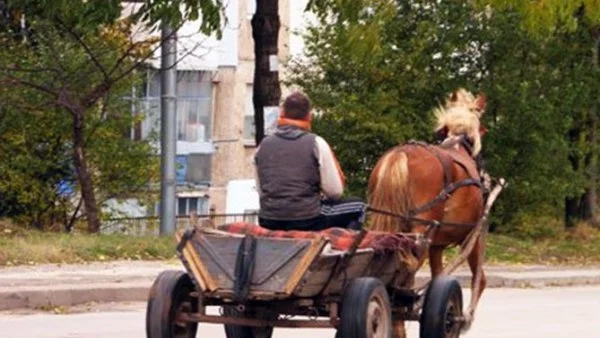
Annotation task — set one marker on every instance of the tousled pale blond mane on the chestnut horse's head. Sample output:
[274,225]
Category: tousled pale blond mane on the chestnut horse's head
[460,117]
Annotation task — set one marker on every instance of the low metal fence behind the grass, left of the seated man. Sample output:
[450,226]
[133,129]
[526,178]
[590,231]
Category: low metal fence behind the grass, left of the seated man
[142,226]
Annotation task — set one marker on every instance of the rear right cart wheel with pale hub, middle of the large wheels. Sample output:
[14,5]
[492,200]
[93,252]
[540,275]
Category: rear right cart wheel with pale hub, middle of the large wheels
[365,310]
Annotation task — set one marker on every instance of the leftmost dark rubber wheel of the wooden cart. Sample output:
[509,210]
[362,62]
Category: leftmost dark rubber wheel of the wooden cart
[170,296]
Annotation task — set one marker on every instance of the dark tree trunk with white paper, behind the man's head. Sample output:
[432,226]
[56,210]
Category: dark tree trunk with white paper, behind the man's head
[266,90]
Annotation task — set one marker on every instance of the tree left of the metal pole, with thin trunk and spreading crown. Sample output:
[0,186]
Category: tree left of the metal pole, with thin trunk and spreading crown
[74,53]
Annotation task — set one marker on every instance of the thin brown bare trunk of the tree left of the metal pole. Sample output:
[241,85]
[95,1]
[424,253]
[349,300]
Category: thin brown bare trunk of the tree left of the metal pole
[83,174]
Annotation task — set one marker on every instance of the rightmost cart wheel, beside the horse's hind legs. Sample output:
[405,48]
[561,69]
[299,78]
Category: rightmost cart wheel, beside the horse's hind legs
[442,309]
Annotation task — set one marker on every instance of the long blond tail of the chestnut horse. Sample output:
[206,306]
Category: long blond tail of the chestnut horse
[389,191]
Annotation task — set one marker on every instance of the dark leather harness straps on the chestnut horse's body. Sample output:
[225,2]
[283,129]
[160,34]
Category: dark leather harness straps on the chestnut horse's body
[446,159]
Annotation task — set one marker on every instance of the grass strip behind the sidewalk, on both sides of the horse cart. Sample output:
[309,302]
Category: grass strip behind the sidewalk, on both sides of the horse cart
[18,246]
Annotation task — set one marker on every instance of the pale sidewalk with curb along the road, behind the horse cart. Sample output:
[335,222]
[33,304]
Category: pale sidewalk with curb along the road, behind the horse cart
[45,286]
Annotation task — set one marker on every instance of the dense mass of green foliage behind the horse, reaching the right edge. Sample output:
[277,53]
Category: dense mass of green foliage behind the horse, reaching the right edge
[376,73]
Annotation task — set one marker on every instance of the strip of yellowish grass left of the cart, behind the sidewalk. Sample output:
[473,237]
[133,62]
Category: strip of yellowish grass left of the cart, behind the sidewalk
[20,246]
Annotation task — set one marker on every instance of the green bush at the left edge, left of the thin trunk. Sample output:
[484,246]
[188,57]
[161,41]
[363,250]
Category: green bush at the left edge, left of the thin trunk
[31,165]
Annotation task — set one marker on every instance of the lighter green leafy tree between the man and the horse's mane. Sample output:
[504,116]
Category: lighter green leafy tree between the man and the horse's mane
[376,71]
